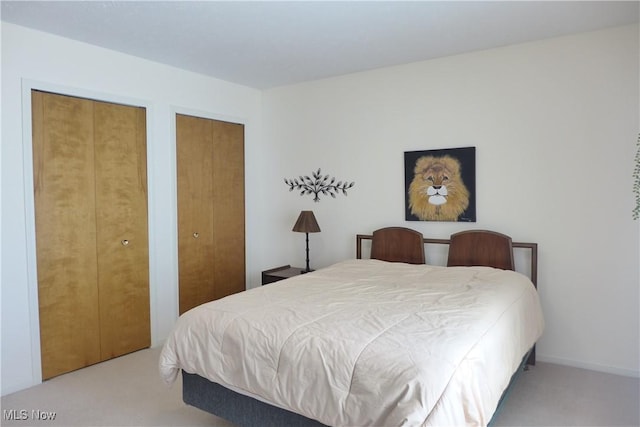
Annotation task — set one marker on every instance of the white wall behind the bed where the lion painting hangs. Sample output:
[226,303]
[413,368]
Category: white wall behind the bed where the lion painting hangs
[555,124]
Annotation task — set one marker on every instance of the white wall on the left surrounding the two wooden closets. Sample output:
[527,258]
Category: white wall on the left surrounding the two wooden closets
[38,60]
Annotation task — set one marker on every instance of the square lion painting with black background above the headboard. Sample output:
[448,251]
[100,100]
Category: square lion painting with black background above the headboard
[440,185]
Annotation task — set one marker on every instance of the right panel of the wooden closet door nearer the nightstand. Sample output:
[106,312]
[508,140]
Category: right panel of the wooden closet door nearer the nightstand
[228,208]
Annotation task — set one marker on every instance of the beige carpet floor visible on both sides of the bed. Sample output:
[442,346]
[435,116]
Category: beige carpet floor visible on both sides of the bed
[128,391]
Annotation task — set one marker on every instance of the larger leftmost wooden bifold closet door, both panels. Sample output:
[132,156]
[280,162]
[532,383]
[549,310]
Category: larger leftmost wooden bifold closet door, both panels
[91,230]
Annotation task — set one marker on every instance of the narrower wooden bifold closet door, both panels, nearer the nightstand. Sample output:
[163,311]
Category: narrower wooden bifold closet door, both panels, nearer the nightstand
[210,169]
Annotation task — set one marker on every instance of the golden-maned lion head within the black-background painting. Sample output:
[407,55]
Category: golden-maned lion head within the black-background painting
[437,192]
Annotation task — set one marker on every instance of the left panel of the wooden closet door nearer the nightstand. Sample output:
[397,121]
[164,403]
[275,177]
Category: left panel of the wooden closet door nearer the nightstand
[194,153]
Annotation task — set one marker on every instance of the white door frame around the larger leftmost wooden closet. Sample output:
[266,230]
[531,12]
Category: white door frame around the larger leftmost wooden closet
[30,229]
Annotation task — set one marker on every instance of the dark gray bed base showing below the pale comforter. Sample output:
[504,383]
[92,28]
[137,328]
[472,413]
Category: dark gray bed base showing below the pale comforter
[246,411]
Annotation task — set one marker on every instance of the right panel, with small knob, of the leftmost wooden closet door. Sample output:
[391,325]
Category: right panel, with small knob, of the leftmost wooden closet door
[122,238]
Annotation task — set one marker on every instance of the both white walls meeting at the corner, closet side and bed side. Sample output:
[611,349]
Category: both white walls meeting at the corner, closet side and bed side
[554,122]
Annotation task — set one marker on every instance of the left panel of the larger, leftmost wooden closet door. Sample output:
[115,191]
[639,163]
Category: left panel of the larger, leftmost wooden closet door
[63,166]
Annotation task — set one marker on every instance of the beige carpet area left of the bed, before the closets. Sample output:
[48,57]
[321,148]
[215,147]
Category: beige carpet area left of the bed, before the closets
[126,391]
